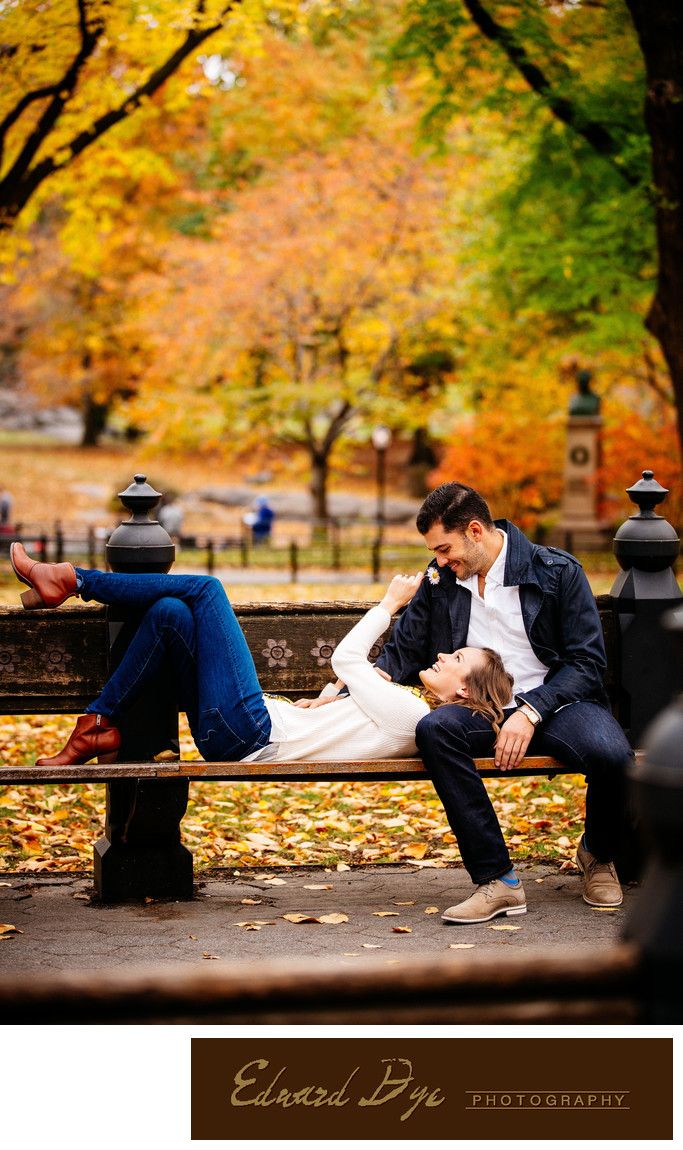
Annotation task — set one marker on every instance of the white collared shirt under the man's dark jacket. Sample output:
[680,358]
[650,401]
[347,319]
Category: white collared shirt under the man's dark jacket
[496,622]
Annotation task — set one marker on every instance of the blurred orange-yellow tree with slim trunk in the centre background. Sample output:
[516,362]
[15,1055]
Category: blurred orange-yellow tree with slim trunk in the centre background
[301,319]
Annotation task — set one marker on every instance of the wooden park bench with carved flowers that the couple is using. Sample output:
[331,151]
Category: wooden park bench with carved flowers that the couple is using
[56,662]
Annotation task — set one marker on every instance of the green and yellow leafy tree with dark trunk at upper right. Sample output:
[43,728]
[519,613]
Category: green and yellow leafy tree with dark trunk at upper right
[588,65]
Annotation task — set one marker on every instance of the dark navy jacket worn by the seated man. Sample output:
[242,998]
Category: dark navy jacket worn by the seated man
[559,612]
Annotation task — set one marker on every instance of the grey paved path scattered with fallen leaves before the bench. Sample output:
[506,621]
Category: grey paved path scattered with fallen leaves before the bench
[65,931]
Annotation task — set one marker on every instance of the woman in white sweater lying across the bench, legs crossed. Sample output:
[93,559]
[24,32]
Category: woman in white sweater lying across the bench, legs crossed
[190,624]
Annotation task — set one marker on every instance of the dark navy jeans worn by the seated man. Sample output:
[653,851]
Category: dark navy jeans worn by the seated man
[582,735]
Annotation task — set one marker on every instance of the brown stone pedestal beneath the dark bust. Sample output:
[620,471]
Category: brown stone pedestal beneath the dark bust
[580,526]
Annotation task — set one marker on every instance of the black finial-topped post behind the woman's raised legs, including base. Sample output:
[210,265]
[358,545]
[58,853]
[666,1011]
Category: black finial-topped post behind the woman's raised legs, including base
[141,854]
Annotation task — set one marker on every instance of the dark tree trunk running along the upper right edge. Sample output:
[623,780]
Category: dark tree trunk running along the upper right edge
[661,32]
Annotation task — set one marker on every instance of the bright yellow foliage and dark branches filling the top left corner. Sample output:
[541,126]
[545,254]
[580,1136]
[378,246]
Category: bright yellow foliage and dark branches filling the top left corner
[73,71]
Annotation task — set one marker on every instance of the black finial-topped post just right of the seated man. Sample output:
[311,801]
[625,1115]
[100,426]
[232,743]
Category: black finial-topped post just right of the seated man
[647,548]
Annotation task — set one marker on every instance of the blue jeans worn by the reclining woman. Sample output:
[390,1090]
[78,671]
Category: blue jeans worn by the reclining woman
[190,627]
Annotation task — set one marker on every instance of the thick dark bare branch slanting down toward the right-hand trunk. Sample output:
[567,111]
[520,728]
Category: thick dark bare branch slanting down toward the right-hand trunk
[594,133]
